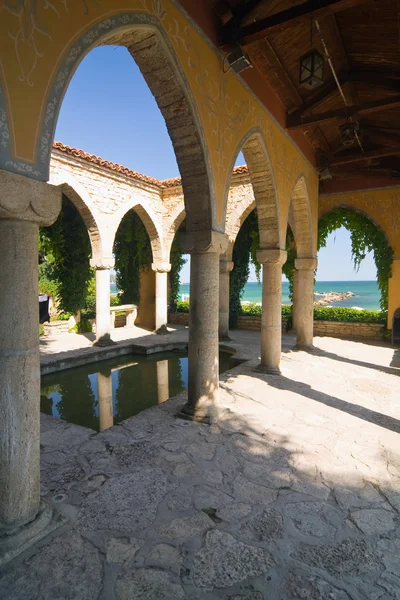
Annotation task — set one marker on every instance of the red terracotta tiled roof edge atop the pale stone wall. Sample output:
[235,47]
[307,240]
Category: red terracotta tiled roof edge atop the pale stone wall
[174,182]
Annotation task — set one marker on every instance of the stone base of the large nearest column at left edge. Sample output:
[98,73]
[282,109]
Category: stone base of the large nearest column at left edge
[19,540]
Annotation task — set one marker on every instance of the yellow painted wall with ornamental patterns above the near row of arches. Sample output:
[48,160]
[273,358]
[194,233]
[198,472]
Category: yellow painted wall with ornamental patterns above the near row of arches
[32,72]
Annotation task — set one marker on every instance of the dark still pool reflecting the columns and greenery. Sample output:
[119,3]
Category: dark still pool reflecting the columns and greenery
[102,394]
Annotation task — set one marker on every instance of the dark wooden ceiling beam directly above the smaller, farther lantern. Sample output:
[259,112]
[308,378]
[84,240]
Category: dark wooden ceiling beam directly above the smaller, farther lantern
[294,121]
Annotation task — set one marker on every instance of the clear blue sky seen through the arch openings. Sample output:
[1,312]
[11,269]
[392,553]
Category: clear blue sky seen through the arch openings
[108,110]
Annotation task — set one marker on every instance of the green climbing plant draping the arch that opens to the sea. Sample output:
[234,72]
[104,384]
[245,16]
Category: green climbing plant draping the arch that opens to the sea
[365,237]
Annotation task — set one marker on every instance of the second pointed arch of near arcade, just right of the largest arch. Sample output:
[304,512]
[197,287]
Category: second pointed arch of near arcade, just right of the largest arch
[265,197]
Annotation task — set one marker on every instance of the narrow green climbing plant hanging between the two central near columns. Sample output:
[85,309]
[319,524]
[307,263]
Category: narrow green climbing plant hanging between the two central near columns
[244,252]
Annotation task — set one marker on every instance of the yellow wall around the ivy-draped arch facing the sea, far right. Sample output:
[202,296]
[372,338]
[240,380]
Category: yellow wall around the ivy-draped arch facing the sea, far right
[382,206]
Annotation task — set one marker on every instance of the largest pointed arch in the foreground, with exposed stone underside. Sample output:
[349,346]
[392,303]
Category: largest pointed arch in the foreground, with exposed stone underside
[147,42]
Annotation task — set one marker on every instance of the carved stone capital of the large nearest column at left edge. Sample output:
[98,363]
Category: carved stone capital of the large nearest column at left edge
[25,199]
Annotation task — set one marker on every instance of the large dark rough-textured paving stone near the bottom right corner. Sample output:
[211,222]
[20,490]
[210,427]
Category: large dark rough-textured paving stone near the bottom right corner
[352,557]
